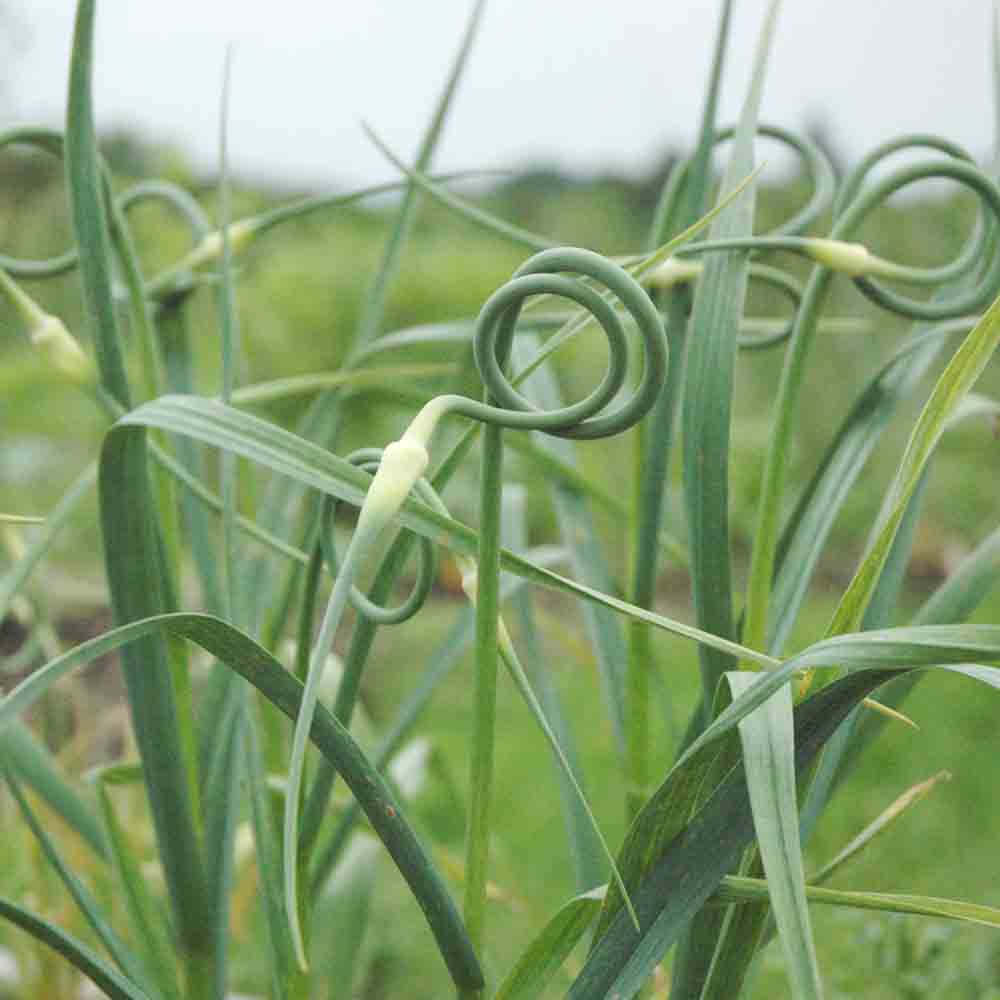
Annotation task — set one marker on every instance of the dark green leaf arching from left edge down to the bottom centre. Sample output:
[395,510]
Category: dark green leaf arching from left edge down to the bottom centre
[242,654]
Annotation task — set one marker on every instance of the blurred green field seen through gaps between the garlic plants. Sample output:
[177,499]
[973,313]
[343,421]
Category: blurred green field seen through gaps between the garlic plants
[299,295]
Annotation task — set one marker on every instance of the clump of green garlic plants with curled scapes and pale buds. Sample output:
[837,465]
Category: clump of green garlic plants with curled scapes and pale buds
[711,865]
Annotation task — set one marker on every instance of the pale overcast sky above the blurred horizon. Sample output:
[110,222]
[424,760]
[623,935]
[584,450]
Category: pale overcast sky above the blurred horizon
[579,84]
